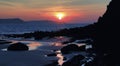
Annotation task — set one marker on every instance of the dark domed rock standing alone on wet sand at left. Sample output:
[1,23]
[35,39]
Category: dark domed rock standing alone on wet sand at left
[18,47]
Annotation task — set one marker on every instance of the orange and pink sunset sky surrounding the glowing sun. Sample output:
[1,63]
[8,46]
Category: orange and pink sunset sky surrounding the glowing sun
[75,10]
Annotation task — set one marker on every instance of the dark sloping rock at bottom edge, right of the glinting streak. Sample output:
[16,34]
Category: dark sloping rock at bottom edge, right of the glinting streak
[75,61]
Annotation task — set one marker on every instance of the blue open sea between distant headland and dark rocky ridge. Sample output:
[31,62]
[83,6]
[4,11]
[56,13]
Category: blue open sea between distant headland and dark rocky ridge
[20,28]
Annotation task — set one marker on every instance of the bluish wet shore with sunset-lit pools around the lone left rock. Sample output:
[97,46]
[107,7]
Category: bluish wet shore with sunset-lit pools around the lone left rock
[36,56]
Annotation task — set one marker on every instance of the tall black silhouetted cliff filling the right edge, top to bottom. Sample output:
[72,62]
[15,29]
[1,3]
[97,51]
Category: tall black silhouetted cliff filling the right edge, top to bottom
[106,37]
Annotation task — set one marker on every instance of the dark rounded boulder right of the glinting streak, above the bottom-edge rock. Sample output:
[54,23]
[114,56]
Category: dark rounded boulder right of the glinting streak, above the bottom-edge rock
[69,48]
